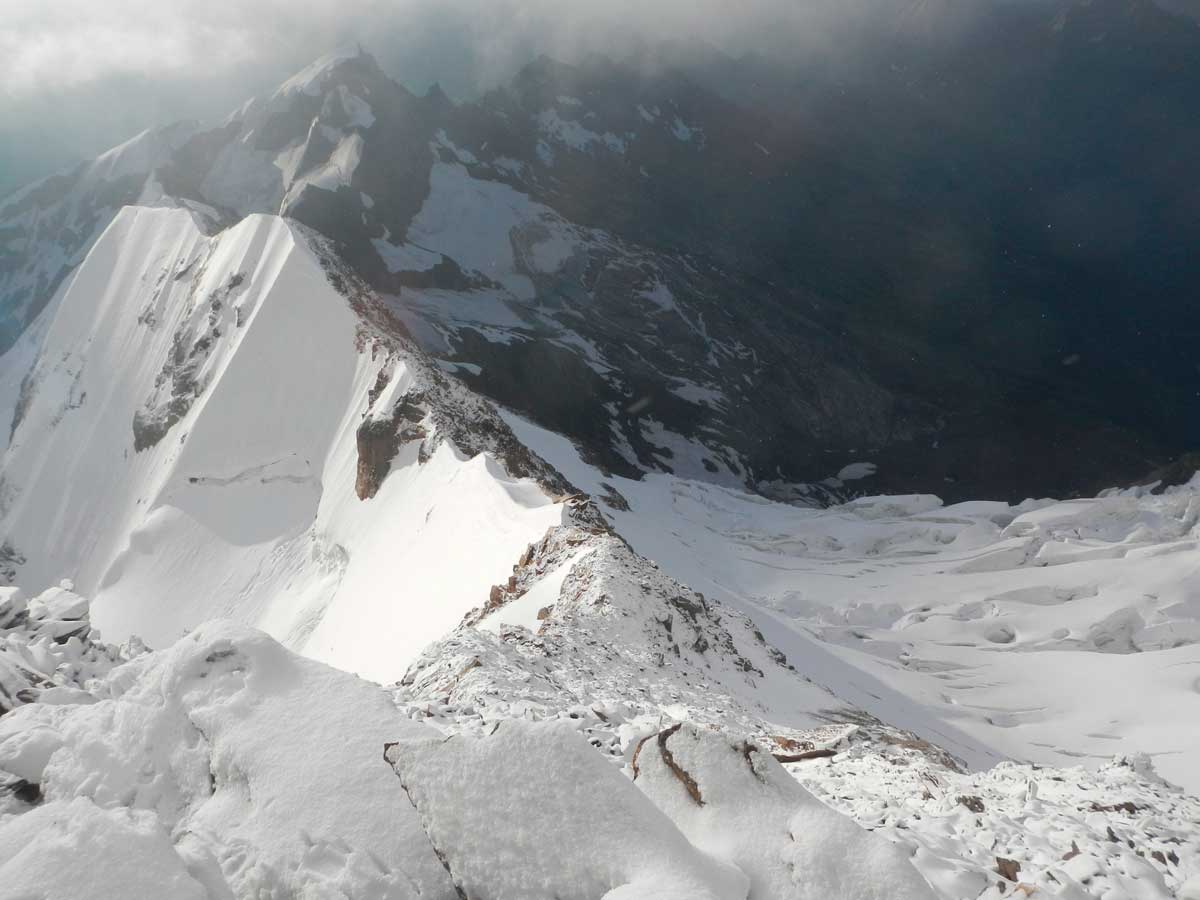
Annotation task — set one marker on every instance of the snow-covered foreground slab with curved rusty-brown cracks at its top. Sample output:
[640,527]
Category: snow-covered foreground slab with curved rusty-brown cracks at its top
[734,801]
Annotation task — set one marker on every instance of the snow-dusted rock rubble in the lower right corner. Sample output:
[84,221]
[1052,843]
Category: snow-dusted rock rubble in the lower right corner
[1114,831]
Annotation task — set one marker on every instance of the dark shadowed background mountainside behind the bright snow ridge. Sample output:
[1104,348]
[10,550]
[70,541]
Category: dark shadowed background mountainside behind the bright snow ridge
[962,261]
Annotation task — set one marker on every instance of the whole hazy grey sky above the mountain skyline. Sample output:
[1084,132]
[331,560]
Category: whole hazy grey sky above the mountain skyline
[80,76]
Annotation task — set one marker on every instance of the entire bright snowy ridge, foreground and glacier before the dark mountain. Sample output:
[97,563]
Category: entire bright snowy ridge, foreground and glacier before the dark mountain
[175,458]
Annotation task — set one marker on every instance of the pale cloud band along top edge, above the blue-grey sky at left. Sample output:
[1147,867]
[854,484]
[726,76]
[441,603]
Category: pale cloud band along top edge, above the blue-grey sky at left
[69,44]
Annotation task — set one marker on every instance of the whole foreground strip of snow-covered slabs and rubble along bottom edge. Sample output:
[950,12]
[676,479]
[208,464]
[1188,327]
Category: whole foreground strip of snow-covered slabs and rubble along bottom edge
[229,767]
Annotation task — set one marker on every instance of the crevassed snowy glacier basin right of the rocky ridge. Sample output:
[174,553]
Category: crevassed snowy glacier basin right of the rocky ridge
[1058,633]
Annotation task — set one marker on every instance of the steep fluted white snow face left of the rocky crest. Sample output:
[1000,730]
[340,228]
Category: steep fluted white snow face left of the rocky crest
[187,451]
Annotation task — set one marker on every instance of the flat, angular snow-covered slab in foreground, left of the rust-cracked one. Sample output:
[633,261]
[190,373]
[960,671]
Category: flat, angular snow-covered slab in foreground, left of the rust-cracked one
[532,813]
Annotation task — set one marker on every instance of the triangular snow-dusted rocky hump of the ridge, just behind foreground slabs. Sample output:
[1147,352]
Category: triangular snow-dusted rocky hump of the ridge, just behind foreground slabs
[587,628]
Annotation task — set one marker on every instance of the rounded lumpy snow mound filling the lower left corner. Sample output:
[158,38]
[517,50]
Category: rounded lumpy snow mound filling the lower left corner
[226,758]
